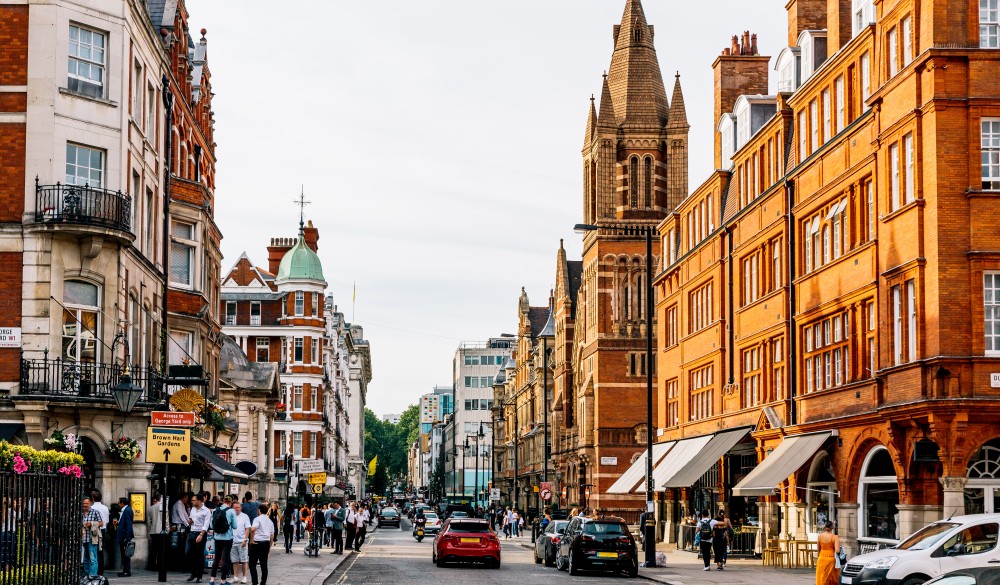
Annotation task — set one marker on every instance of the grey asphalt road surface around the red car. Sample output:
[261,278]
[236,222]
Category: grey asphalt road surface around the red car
[394,557]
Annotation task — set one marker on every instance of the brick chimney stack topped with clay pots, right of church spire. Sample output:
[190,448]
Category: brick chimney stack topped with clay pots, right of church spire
[740,70]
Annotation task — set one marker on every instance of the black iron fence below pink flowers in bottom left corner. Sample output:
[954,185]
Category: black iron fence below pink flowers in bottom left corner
[40,535]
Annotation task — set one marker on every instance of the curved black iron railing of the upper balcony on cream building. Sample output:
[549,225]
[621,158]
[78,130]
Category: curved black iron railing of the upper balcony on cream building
[82,205]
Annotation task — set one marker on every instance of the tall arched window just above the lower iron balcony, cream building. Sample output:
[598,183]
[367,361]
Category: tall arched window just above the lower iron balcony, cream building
[81,328]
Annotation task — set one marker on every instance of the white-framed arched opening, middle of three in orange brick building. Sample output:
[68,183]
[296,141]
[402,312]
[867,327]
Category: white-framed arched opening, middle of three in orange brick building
[878,496]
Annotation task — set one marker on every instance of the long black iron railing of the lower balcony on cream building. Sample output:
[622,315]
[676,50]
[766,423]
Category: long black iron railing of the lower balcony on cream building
[69,378]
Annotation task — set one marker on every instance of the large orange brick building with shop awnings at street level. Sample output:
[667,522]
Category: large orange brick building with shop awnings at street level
[826,300]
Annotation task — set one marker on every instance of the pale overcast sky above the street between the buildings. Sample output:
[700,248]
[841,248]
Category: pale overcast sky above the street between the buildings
[439,142]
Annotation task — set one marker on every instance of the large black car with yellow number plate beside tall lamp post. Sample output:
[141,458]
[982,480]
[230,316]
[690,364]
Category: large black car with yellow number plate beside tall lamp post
[604,544]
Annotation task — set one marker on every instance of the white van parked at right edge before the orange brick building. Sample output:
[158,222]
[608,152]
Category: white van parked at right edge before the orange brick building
[958,543]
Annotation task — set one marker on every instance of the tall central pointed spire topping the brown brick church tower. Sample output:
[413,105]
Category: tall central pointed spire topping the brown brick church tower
[635,78]
